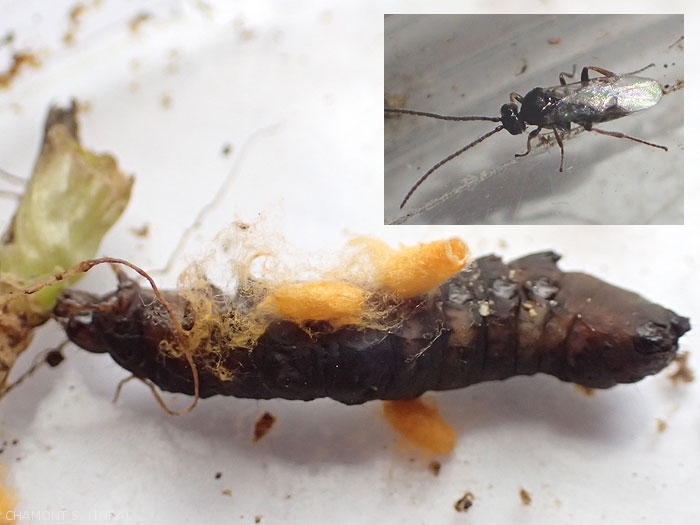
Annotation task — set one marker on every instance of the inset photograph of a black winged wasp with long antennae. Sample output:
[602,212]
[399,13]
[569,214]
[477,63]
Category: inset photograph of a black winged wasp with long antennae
[534,119]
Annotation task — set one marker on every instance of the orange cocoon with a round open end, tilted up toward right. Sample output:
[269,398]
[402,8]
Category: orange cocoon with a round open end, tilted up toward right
[413,270]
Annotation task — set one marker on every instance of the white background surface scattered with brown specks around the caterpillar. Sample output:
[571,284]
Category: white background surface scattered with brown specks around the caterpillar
[305,79]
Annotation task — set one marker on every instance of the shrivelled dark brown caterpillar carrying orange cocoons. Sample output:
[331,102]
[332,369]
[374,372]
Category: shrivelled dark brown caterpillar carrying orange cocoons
[491,321]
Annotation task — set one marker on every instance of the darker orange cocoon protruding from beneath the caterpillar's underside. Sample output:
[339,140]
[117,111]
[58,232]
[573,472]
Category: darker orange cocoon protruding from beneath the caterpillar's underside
[421,425]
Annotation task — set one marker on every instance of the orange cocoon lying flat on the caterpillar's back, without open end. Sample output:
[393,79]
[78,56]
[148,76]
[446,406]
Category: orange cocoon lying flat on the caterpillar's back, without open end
[337,303]
